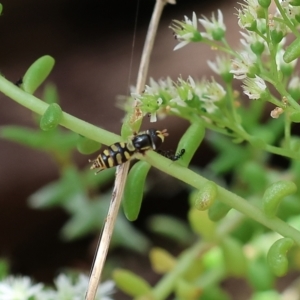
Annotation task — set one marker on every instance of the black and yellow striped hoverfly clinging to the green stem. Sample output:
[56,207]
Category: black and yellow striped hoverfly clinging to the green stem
[120,152]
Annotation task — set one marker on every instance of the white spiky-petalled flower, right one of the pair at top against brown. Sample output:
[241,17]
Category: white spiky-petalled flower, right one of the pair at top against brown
[215,27]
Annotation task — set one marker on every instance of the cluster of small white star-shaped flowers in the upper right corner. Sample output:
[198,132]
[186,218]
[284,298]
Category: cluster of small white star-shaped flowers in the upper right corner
[263,41]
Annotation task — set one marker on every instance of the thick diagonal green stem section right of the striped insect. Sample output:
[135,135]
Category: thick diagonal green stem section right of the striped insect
[225,196]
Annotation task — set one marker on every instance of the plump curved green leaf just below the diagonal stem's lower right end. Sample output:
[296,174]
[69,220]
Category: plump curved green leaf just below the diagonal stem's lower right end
[277,256]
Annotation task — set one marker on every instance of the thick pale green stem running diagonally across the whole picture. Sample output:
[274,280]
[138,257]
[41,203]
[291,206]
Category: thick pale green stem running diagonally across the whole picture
[184,174]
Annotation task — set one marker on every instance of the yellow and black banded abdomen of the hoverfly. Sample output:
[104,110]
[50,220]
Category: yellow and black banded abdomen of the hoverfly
[114,155]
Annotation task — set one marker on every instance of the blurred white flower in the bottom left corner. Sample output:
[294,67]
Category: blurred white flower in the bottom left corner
[19,288]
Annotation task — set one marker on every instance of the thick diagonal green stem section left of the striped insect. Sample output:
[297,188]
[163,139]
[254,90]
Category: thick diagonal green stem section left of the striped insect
[38,106]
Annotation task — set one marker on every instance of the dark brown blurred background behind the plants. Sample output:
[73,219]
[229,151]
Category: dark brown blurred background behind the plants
[91,42]
